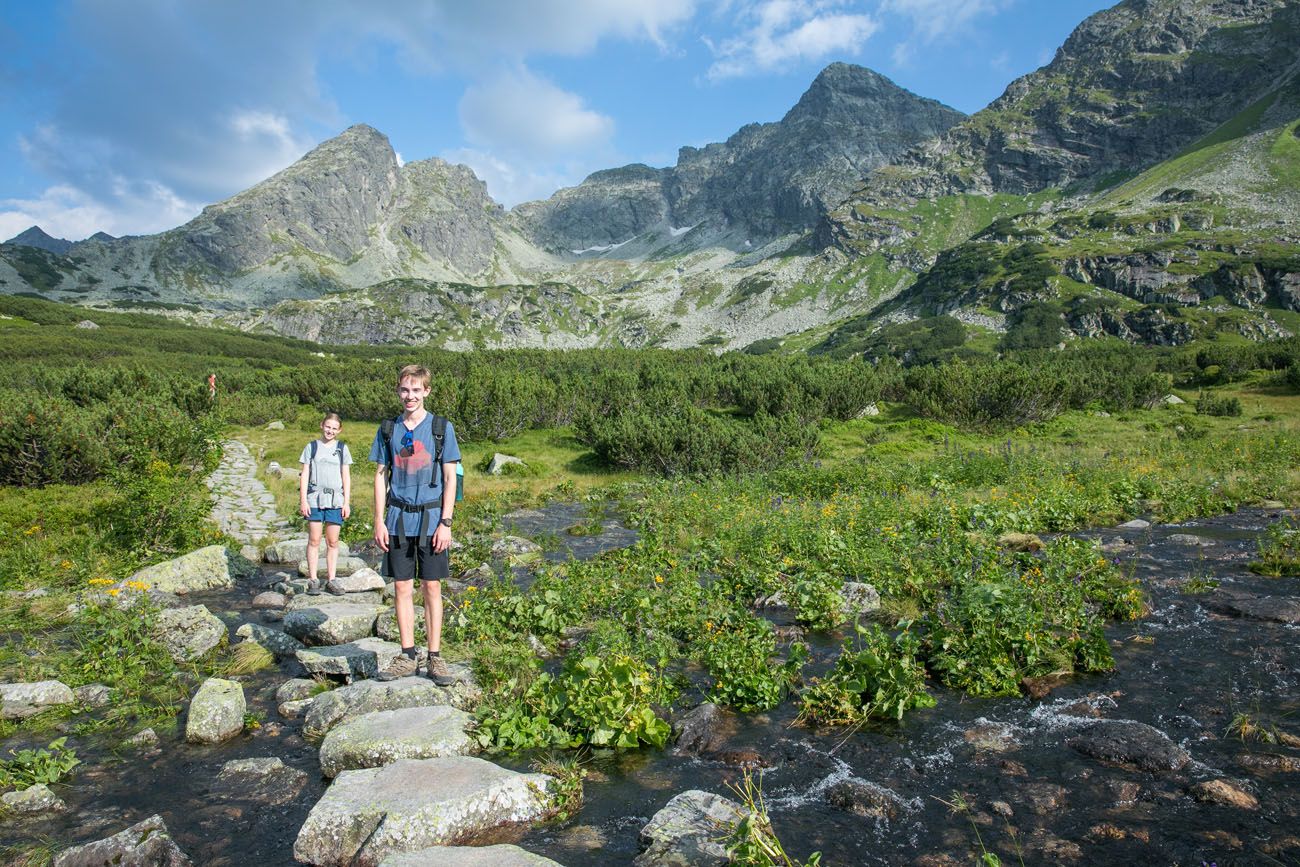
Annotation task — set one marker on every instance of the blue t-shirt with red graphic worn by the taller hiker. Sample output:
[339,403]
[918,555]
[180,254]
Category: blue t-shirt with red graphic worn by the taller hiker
[415,480]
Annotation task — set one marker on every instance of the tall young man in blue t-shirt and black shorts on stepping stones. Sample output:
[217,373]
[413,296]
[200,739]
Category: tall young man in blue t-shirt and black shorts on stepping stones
[414,502]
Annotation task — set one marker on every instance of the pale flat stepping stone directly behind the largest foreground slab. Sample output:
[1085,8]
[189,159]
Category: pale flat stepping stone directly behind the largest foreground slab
[383,738]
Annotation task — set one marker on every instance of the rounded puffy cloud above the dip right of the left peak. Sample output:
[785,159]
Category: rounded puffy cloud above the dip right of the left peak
[523,114]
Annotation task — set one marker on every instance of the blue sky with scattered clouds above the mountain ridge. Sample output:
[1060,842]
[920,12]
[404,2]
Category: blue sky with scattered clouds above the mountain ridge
[131,116]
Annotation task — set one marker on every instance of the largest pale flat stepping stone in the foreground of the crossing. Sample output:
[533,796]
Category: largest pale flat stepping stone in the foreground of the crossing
[414,804]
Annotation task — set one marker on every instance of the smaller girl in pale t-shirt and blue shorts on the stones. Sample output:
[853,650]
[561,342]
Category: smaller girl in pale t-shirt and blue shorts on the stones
[326,497]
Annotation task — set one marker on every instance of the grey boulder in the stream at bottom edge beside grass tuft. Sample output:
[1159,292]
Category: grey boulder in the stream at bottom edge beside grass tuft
[688,831]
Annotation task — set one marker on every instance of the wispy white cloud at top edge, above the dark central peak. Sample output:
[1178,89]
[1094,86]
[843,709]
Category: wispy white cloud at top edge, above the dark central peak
[786,32]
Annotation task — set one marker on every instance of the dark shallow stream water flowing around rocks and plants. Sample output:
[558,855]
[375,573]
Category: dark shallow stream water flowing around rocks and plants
[1184,670]
